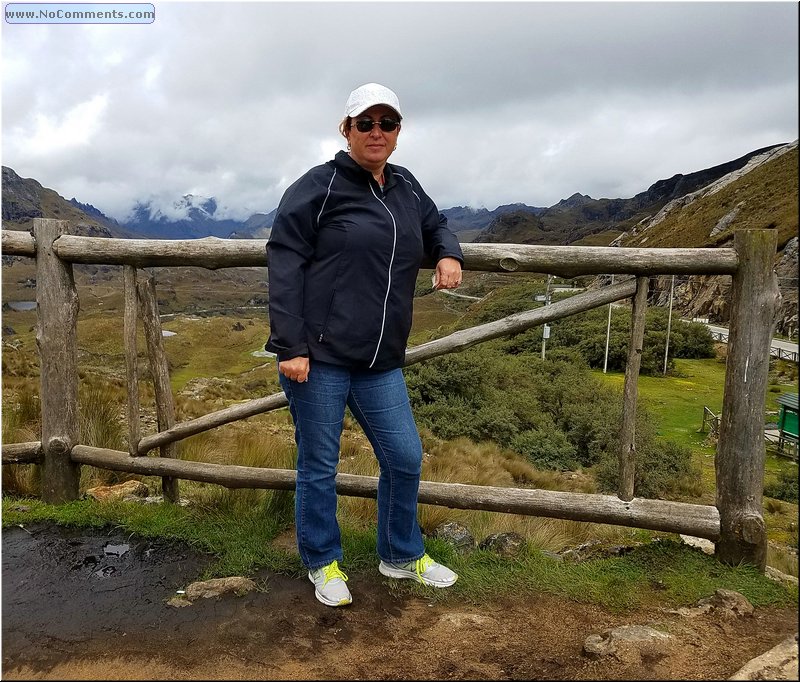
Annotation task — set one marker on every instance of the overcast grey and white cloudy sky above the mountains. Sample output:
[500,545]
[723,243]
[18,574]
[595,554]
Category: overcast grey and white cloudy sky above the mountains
[503,102]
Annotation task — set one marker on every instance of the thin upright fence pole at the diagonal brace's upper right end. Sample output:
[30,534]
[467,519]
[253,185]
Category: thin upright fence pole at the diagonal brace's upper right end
[627,454]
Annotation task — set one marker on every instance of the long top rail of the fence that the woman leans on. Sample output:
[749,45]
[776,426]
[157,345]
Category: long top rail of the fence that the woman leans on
[567,261]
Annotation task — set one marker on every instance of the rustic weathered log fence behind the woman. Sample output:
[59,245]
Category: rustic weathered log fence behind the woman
[735,523]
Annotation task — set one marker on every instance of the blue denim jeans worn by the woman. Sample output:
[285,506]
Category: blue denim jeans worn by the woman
[379,402]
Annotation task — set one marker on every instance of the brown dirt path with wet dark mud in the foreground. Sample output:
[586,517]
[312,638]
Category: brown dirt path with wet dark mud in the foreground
[73,609]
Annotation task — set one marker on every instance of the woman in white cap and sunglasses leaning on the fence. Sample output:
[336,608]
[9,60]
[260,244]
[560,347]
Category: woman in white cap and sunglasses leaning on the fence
[343,256]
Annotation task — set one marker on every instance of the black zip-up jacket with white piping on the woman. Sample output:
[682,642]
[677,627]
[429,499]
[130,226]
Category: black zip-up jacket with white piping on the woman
[343,258]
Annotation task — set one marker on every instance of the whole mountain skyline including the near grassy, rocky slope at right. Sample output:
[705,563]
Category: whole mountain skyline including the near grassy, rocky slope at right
[698,209]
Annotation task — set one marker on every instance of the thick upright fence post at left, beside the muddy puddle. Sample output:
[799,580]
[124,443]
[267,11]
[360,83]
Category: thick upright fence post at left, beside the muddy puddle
[56,337]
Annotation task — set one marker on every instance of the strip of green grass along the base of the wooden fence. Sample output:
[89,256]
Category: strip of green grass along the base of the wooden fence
[665,573]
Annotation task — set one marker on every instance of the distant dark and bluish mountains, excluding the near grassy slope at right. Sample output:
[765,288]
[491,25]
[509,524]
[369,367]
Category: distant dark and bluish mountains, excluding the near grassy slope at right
[577,218]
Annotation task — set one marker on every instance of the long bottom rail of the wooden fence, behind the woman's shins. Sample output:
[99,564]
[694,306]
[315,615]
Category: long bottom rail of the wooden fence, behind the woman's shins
[674,517]
